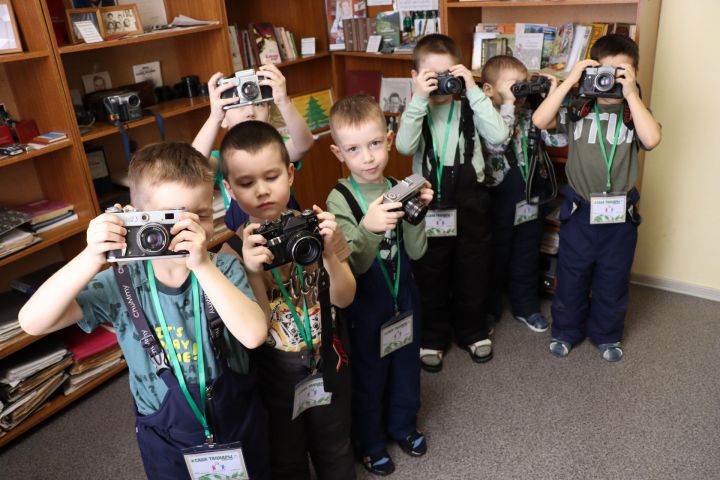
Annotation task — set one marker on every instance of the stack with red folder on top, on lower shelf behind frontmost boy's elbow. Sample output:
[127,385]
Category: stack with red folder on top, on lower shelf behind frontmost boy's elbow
[92,355]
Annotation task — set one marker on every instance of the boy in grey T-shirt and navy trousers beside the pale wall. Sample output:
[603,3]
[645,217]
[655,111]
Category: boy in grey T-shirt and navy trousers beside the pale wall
[596,250]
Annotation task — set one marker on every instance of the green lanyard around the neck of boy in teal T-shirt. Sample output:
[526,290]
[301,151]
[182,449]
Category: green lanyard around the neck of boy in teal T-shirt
[200,415]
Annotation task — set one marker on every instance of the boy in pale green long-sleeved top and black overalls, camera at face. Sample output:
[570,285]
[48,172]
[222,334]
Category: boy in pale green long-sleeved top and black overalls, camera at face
[442,135]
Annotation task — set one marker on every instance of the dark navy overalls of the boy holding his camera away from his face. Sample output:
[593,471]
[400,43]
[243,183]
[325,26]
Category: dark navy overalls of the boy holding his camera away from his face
[386,391]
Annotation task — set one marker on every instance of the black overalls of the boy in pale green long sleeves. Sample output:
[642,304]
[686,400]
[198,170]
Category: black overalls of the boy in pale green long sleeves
[454,274]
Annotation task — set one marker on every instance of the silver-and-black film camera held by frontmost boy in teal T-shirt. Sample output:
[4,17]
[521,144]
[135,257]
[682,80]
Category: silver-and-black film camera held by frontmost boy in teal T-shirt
[148,235]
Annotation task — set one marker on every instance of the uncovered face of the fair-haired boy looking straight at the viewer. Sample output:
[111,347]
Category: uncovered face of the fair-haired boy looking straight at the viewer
[364,149]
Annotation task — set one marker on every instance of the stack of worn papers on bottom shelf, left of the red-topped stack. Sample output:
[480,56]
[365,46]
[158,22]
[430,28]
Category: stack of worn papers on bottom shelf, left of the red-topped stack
[29,377]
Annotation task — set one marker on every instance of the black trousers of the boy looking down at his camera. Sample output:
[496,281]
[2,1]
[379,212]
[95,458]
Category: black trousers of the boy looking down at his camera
[323,432]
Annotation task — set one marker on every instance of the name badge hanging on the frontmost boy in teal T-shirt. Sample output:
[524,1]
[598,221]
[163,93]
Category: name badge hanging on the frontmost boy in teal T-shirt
[218,461]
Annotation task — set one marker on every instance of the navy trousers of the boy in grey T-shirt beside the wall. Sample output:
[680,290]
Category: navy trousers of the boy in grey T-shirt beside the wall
[593,273]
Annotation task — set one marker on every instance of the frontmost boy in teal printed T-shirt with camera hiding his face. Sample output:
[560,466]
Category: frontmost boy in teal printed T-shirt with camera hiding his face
[173,408]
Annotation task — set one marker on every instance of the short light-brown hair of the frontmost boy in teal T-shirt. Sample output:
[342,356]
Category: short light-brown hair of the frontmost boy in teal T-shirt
[168,162]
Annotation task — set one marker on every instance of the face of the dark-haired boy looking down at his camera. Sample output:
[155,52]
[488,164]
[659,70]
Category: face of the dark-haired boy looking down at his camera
[260,182]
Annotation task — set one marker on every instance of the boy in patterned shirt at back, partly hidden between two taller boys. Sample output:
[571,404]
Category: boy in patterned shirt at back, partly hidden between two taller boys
[517,226]
